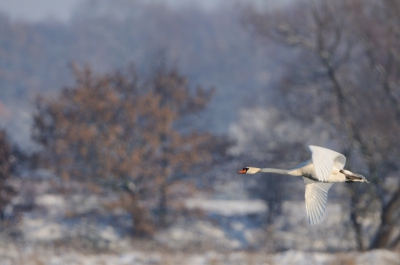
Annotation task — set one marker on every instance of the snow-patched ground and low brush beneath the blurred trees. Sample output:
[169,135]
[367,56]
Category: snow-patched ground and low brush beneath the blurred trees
[61,230]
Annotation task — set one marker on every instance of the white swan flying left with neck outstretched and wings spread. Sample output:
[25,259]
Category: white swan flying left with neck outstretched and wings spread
[319,173]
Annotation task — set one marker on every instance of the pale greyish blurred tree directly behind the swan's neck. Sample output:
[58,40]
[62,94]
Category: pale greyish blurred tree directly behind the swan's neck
[265,136]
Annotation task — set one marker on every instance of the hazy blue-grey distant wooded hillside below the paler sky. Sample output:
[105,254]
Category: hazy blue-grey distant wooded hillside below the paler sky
[207,45]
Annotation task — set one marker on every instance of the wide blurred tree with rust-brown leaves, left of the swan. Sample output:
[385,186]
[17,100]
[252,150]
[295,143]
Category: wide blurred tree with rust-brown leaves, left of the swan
[117,131]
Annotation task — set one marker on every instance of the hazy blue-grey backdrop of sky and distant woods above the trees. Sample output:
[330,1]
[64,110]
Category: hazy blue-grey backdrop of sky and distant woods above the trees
[212,48]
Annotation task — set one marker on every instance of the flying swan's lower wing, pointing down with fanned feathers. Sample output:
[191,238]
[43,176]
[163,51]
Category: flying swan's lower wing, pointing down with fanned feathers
[316,196]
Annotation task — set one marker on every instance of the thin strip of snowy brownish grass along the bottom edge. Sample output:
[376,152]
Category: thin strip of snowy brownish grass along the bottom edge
[51,256]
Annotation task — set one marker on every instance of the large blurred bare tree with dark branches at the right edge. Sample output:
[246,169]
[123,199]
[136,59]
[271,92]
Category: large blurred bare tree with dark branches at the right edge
[346,71]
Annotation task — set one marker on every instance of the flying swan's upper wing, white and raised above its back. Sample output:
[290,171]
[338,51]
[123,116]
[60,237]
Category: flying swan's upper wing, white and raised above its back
[324,160]
